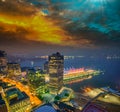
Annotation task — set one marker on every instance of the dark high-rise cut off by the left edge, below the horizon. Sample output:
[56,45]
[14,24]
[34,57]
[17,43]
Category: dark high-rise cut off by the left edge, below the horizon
[3,62]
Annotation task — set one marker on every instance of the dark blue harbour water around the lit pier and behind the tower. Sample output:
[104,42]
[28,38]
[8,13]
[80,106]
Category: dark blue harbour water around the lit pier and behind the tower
[111,68]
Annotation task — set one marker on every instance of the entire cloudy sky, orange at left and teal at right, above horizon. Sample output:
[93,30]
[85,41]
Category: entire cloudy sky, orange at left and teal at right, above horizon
[39,27]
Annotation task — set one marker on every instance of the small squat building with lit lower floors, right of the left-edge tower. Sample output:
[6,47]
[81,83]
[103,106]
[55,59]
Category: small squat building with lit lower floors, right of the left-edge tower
[14,69]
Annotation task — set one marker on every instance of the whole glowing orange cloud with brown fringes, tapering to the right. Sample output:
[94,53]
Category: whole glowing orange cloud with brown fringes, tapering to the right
[35,26]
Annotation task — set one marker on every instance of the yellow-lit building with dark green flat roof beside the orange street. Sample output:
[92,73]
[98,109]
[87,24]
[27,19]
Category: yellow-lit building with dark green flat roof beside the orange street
[17,101]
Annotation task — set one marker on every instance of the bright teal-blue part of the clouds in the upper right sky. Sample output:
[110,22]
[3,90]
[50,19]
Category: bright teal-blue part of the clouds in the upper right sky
[99,15]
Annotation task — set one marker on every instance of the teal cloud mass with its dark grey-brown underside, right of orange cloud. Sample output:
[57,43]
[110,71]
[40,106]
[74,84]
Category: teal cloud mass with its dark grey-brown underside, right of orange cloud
[97,21]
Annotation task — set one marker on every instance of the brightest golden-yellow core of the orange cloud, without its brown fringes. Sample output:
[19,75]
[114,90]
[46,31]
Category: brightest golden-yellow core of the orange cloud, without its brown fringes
[39,28]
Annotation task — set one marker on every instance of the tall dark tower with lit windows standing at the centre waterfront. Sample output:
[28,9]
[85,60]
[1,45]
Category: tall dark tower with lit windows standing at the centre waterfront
[55,68]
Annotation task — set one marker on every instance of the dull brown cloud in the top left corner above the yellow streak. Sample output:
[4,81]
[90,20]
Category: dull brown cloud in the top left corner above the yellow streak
[16,8]
